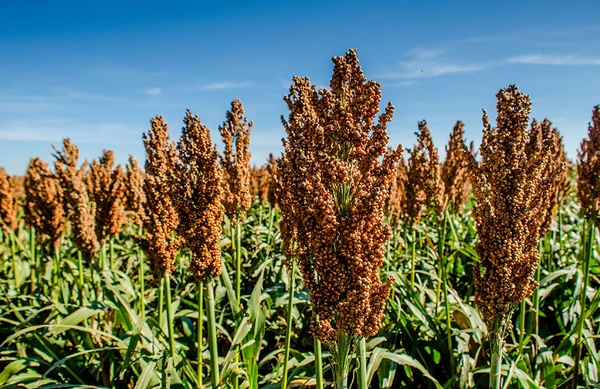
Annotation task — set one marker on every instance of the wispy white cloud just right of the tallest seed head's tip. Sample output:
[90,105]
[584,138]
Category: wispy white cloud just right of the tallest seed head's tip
[430,63]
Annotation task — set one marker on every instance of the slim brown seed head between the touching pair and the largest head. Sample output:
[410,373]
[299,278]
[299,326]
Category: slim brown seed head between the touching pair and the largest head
[235,133]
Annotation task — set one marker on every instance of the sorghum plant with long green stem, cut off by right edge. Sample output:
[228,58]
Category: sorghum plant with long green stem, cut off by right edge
[588,192]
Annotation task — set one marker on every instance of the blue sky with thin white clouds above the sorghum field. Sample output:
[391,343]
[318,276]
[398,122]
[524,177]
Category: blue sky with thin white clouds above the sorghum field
[98,71]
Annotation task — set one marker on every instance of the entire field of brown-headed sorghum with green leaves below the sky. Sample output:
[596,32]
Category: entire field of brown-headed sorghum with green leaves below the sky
[343,263]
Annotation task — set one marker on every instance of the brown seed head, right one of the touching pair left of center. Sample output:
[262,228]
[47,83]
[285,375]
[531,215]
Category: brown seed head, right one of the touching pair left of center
[199,197]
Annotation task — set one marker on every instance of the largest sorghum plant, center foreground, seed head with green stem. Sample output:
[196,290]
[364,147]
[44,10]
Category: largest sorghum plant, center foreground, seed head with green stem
[334,178]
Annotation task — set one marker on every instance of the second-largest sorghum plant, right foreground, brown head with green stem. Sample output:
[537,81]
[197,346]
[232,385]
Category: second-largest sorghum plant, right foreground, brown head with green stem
[512,199]
